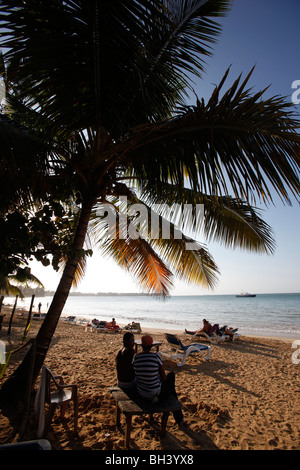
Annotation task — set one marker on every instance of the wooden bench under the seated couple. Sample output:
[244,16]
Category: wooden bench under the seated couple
[130,404]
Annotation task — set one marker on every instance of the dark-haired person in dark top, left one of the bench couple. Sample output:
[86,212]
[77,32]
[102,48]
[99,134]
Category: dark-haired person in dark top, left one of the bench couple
[125,370]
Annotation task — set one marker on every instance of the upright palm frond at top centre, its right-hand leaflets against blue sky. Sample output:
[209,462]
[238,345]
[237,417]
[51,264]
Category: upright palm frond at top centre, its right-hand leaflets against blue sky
[175,42]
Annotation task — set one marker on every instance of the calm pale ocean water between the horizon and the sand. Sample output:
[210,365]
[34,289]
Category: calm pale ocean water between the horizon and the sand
[263,315]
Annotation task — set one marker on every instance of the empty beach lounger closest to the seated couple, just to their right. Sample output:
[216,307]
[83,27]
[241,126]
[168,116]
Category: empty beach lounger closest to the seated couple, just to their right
[179,352]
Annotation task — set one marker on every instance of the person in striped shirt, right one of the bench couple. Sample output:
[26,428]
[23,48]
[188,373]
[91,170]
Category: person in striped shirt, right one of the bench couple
[151,380]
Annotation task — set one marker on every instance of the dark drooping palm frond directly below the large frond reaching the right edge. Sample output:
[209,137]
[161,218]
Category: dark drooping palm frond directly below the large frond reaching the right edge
[223,219]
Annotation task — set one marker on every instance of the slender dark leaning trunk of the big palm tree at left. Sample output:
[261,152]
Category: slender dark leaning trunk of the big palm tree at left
[49,325]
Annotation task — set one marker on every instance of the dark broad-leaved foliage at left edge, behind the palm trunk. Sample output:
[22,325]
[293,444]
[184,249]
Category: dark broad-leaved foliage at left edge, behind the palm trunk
[27,234]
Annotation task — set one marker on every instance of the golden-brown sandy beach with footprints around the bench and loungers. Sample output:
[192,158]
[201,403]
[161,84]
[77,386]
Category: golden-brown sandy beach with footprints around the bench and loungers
[247,397]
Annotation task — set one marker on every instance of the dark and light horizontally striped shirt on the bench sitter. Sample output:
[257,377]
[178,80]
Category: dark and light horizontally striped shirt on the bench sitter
[146,366]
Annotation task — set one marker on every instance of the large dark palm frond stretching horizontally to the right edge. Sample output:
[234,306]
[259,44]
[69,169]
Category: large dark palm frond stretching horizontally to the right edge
[238,143]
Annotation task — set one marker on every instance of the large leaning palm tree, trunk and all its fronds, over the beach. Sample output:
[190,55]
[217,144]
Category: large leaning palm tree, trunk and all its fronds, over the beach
[106,83]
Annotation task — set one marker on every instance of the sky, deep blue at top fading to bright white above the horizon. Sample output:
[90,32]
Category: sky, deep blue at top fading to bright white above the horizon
[264,33]
